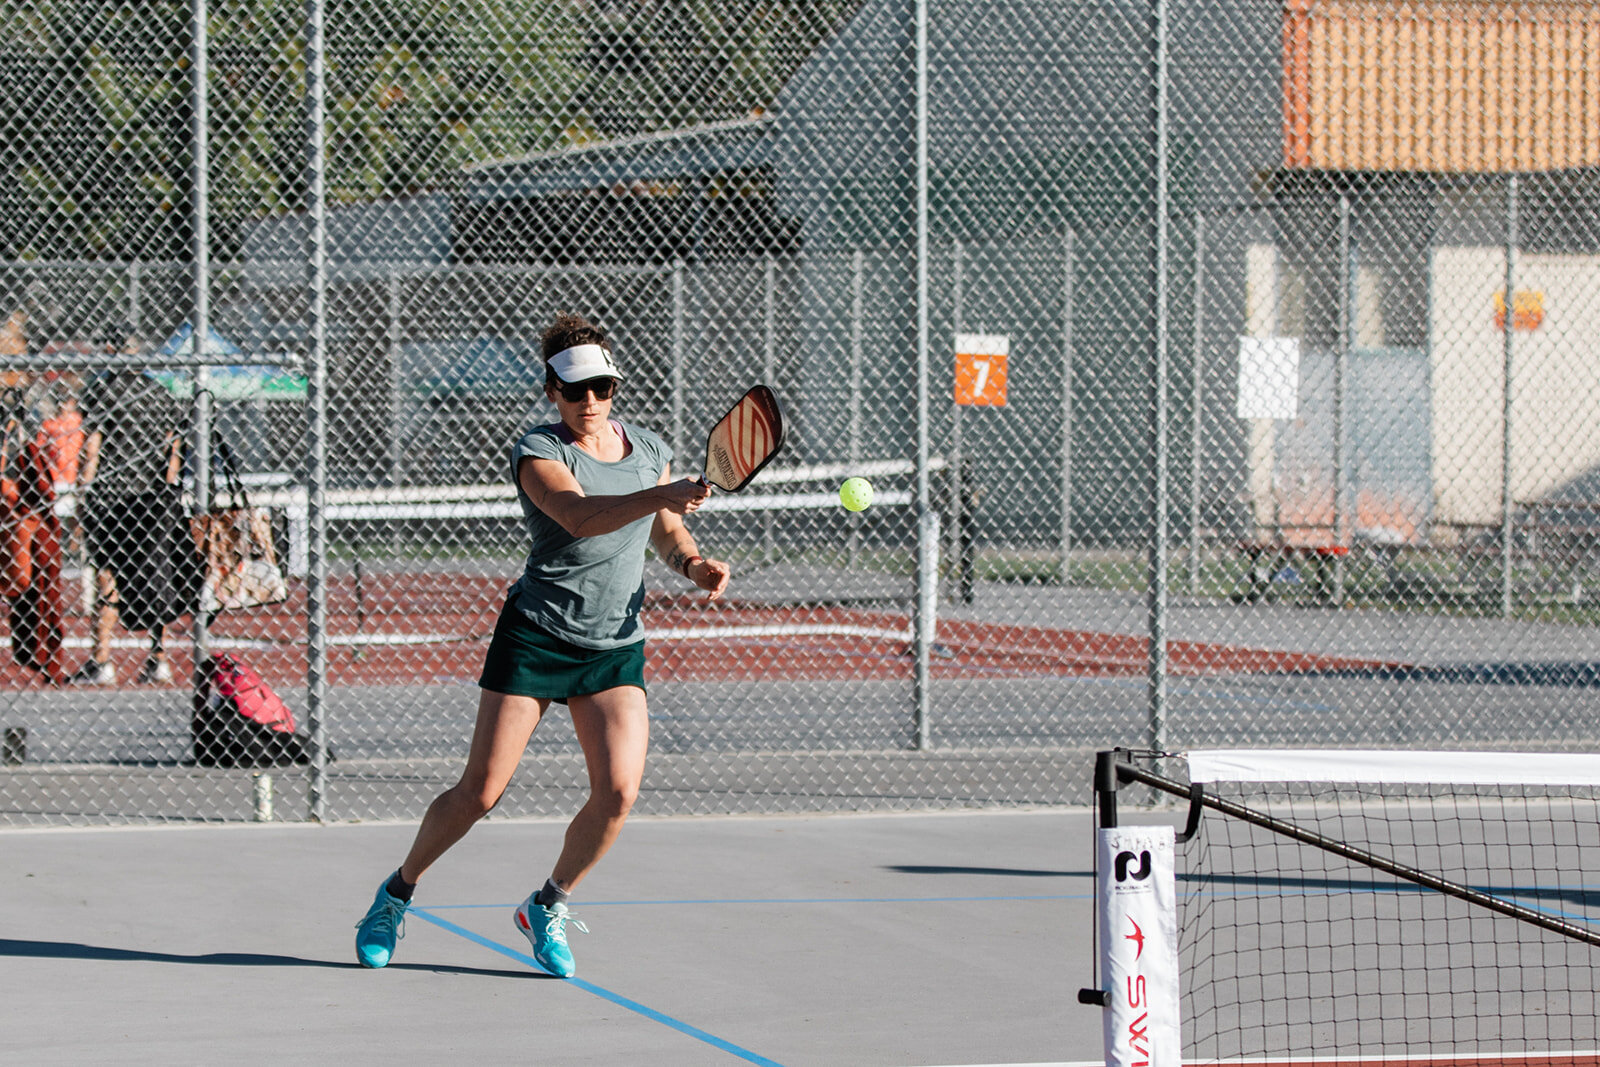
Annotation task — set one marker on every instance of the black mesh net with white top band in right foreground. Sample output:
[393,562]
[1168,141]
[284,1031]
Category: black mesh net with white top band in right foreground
[1342,906]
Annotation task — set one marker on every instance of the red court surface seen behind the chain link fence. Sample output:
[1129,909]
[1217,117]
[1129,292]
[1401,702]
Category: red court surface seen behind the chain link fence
[422,629]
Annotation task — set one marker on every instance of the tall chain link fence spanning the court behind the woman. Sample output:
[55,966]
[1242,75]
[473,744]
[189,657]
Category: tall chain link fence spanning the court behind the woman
[1225,370]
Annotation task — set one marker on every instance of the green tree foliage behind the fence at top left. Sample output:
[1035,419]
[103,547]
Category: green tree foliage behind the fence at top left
[97,100]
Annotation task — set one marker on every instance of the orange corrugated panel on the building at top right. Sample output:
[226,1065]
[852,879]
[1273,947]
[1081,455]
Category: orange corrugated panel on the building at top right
[1444,86]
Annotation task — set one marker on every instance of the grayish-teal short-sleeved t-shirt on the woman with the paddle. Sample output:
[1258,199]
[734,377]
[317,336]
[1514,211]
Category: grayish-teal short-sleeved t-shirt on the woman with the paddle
[588,591]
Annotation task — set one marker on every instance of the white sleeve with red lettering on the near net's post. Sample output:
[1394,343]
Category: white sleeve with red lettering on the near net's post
[1140,946]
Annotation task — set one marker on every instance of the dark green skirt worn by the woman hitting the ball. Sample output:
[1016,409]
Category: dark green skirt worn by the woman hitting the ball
[527,661]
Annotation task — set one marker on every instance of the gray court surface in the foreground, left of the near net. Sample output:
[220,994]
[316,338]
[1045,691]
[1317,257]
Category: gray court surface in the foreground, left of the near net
[911,940]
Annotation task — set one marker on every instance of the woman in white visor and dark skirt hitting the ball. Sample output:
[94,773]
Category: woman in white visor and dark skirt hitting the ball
[593,494]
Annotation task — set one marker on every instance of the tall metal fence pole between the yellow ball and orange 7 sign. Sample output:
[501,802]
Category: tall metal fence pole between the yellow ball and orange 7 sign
[926,626]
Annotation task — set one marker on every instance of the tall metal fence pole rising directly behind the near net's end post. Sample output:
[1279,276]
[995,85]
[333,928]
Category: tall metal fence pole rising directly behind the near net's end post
[1156,548]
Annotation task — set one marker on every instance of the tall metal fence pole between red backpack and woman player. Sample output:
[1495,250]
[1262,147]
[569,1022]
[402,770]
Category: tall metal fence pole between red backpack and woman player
[318,415]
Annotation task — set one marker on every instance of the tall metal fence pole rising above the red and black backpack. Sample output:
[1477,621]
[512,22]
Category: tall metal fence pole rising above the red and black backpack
[201,295]
